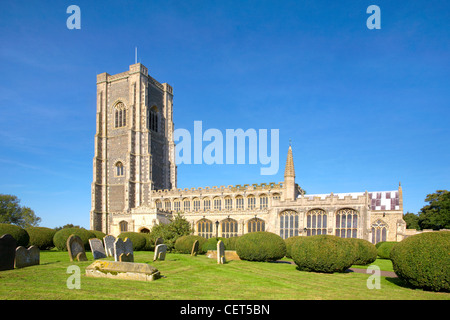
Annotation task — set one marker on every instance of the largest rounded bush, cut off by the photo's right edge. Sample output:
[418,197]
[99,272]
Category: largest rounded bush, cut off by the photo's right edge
[423,260]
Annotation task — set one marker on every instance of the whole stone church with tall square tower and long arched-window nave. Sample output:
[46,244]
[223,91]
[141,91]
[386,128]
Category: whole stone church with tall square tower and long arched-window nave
[135,180]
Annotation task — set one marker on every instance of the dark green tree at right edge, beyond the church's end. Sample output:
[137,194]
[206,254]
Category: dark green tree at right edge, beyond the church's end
[436,215]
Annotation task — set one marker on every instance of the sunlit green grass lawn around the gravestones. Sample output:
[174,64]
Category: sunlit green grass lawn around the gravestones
[191,278]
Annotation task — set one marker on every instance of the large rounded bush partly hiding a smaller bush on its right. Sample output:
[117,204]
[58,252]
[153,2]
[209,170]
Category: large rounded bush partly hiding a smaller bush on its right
[323,253]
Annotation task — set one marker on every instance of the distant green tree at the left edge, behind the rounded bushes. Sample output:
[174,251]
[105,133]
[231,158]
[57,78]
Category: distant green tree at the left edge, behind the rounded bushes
[13,213]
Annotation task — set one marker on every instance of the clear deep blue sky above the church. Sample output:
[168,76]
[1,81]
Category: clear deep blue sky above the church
[364,108]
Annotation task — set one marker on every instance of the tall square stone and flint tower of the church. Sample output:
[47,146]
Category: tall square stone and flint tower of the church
[134,148]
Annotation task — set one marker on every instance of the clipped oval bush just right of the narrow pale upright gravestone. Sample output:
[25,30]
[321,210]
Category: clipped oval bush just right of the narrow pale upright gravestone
[260,246]
